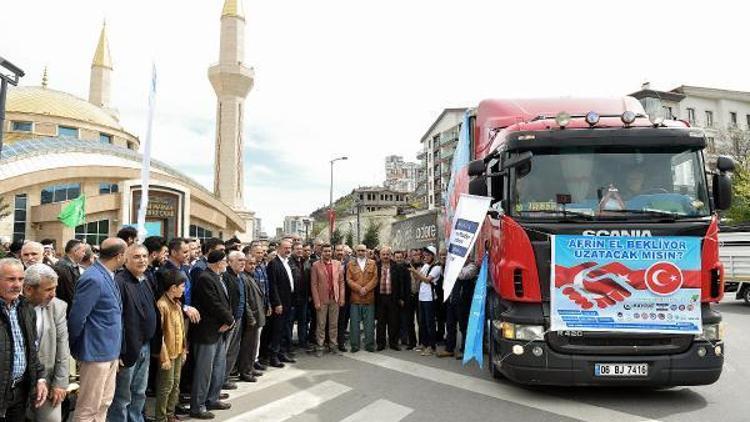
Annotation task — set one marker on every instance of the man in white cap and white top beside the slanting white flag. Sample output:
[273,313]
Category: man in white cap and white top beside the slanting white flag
[427,276]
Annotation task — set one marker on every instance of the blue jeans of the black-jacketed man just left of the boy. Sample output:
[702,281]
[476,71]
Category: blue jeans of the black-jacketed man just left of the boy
[130,390]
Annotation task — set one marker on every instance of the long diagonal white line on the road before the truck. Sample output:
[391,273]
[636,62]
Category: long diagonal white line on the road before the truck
[547,403]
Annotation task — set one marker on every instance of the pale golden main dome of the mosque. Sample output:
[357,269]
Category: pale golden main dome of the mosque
[45,101]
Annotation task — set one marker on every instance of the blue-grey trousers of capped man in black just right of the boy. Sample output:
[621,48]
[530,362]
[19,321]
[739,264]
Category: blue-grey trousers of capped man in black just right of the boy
[208,374]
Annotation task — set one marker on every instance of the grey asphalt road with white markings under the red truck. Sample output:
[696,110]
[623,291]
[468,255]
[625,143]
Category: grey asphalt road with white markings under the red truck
[403,386]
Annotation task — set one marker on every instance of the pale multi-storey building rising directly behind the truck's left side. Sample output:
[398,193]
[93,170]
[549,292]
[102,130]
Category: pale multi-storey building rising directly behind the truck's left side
[438,145]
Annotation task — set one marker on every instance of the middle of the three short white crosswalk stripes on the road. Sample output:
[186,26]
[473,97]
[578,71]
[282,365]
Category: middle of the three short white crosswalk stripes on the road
[294,404]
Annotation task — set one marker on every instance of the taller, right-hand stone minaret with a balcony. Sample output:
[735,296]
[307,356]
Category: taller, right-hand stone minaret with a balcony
[232,81]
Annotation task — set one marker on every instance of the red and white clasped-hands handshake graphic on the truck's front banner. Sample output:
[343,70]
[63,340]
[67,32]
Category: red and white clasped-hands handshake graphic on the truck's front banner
[603,285]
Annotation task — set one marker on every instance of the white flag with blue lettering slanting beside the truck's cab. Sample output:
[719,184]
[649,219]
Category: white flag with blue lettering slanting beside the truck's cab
[467,221]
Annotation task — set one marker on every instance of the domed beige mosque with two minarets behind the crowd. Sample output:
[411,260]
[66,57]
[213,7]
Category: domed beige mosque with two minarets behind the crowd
[58,146]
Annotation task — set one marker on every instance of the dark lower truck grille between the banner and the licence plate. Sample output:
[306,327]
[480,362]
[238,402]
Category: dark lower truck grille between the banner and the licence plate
[610,343]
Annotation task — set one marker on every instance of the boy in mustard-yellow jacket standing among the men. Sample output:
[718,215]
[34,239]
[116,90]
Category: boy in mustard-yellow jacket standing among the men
[173,346]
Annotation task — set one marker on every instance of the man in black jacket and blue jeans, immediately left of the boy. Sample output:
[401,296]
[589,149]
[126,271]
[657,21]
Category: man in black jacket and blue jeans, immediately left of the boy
[139,325]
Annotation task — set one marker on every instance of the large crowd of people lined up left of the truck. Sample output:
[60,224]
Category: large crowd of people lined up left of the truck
[184,319]
